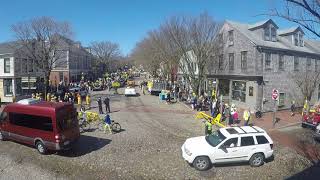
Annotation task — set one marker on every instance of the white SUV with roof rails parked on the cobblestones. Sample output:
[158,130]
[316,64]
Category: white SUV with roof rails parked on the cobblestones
[230,144]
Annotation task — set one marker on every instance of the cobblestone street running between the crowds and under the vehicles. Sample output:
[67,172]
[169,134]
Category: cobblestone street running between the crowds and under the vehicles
[147,148]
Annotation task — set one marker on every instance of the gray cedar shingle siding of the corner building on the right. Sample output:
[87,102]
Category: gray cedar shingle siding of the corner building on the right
[253,42]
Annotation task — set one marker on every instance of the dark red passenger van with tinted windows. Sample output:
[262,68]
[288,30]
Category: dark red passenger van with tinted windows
[45,125]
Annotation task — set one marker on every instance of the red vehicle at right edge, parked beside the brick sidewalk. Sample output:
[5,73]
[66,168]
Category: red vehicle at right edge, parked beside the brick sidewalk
[311,119]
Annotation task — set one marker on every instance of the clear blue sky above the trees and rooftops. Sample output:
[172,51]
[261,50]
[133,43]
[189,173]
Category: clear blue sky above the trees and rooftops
[127,21]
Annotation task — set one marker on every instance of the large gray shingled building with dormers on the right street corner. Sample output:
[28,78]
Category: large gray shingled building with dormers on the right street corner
[258,58]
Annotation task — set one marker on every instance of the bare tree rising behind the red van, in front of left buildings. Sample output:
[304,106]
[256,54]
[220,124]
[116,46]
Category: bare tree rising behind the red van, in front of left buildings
[40,39]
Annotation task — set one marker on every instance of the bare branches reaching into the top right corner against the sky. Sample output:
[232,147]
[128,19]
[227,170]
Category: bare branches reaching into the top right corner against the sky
[303,12]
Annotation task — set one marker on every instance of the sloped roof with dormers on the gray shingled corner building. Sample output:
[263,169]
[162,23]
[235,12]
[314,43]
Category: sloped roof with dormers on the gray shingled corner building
[281,43]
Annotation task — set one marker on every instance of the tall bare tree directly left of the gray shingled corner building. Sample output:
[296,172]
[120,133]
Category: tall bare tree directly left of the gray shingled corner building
[196,39]
